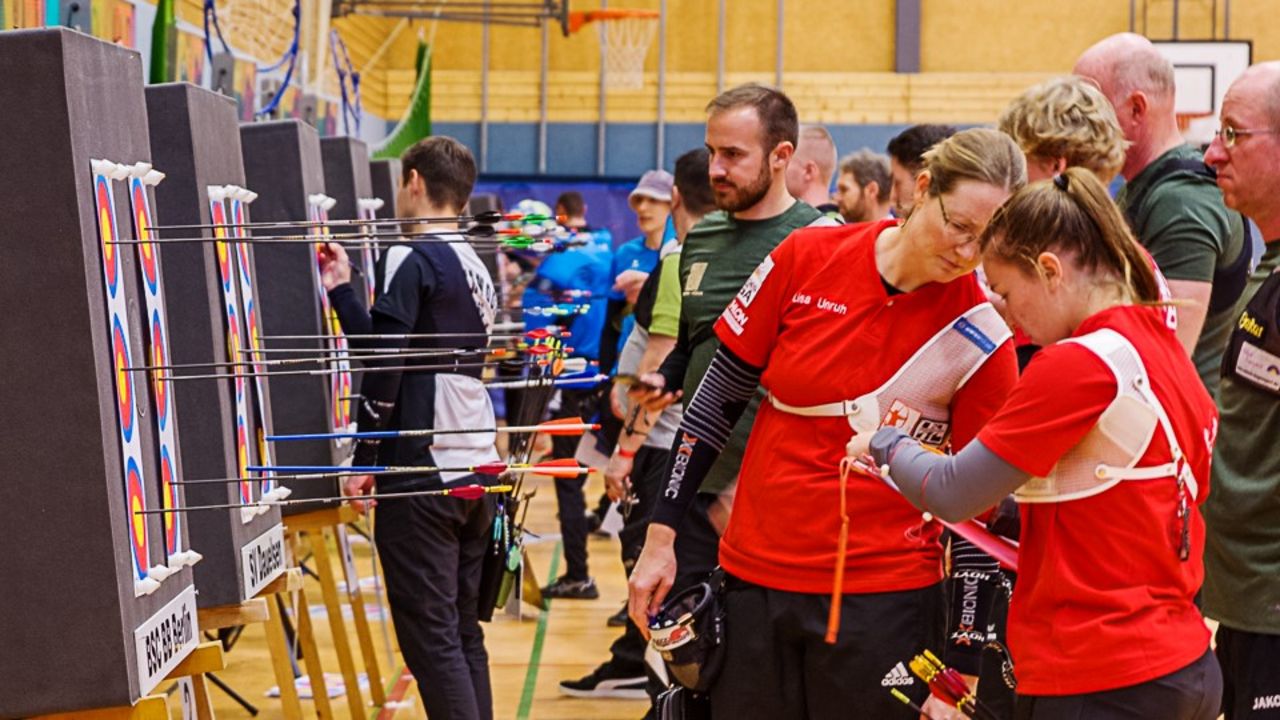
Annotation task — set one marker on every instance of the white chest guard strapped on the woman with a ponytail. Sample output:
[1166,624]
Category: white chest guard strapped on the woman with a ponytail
[1113,448]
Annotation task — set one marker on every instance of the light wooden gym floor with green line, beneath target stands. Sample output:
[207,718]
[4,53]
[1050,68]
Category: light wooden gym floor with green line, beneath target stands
[528,658]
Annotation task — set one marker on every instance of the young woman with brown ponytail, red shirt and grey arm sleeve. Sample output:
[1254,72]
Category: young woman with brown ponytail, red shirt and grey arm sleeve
[1107,444]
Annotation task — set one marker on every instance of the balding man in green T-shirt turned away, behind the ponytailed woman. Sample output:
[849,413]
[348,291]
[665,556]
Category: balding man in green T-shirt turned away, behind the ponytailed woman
[1171,199]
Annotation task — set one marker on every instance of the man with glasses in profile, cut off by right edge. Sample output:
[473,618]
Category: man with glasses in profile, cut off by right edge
[1242,559]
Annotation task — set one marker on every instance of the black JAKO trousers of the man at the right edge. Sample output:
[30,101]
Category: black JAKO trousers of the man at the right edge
[1251,675]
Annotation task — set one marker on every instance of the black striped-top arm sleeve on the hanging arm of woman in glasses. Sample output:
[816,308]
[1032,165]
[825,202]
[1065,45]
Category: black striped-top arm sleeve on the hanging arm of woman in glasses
[721,399]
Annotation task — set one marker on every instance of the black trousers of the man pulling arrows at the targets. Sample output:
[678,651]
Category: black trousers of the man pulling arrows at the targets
[432,552]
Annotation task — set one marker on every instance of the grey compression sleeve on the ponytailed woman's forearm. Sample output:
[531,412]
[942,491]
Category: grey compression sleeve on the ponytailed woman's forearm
[953,487]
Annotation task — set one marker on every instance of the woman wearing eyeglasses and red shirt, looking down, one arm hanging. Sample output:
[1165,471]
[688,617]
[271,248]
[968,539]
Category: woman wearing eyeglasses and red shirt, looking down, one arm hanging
[852,329]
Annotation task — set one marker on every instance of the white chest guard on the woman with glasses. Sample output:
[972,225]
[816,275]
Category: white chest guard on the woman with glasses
[918,397]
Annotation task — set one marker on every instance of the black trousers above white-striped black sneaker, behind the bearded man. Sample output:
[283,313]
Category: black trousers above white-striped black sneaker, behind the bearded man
[627,654]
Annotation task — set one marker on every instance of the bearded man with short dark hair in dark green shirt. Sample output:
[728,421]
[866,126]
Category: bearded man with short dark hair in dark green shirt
[752,133]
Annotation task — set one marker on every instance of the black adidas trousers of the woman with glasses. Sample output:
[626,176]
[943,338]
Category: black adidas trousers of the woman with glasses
[779,664]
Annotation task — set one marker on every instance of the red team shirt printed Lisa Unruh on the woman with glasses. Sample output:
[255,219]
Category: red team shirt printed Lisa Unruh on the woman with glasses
[816,316]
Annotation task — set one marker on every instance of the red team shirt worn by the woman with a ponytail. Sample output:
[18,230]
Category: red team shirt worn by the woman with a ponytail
[1103,600]
